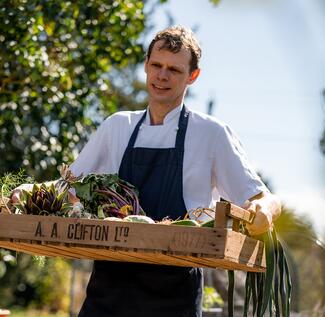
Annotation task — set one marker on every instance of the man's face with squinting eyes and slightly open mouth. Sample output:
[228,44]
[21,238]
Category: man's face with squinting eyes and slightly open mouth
[168,75]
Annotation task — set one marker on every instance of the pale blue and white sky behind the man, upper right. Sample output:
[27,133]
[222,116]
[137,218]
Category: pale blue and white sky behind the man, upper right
[263,64]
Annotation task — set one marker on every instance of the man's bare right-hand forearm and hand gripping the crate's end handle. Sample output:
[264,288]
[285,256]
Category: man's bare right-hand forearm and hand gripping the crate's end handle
[267,208]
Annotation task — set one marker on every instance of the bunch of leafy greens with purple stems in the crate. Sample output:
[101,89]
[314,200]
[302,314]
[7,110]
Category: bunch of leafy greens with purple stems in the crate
[106,195]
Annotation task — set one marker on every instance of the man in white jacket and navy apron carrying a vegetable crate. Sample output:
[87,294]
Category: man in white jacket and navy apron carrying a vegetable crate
[179,160]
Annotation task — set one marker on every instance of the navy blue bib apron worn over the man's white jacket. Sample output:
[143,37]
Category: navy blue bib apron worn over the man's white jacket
[120,289]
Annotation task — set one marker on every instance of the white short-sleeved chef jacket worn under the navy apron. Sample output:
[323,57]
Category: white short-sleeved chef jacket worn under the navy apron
[214,165]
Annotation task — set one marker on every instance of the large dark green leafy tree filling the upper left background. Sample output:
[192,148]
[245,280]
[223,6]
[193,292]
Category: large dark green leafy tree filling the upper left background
[55,57]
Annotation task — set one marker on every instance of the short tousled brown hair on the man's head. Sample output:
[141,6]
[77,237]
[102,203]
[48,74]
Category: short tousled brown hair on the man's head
[176,37]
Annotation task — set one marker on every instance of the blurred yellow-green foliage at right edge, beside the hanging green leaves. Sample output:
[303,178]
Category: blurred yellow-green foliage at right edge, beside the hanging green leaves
[306,255]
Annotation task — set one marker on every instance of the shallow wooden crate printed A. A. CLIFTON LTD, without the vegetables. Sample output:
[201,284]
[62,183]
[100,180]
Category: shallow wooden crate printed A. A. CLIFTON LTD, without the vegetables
[217,247]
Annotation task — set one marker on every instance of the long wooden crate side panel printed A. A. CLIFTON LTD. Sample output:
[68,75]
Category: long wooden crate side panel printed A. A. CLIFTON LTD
[112,233]
